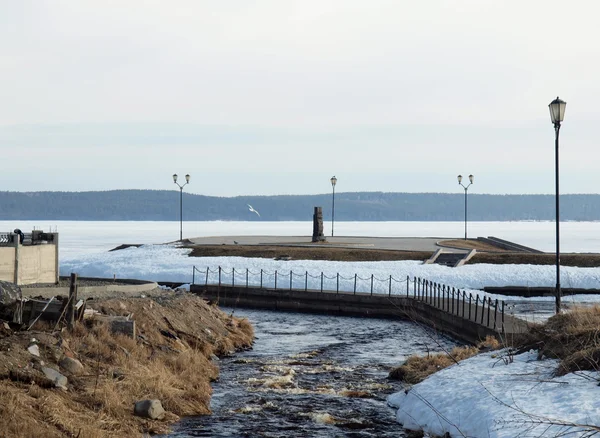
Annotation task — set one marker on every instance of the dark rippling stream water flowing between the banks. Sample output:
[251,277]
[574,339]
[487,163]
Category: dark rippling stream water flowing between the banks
[311,376]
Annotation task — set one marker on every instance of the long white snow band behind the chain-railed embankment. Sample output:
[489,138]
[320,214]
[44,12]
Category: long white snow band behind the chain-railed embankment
[170,263]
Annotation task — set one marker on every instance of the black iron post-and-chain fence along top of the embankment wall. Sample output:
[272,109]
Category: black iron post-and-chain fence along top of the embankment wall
[481,310]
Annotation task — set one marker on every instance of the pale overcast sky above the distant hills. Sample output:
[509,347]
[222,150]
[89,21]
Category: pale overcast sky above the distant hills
[275,97]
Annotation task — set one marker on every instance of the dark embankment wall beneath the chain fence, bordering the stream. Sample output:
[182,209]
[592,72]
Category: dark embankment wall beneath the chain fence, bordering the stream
[360,304]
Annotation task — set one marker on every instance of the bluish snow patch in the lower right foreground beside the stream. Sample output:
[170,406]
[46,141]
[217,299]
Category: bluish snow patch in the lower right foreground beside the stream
[489,396]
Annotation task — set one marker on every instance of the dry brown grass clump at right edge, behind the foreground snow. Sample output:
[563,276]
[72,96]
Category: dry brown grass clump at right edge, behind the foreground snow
[573,337]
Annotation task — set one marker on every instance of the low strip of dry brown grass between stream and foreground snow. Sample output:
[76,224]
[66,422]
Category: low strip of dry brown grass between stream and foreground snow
[416,368]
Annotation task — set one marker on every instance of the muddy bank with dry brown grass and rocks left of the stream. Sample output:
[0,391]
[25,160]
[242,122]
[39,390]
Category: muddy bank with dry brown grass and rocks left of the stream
[171,358]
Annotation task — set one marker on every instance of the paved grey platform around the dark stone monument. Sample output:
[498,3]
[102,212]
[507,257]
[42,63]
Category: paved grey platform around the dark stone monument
[393,243]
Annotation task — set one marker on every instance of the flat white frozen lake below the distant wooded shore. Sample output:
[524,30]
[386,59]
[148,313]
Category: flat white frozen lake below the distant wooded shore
[80,237]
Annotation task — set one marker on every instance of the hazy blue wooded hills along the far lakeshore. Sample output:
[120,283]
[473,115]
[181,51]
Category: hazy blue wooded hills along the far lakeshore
[163,205]
